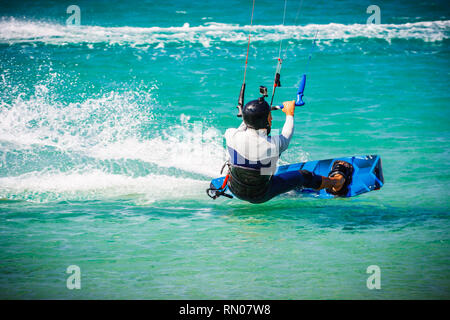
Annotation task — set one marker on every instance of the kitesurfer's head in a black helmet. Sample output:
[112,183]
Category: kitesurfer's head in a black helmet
[257,115]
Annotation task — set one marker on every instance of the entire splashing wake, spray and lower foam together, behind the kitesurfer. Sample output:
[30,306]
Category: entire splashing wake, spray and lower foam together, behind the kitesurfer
[102,147]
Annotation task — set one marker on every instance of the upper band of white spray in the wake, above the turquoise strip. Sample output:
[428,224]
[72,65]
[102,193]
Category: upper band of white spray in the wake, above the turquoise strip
[109,127]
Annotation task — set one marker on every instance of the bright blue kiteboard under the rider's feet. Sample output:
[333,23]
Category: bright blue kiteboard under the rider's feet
[367,176]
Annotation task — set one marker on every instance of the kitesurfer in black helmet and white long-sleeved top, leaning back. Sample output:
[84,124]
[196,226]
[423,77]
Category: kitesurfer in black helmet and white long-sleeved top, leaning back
[254,154]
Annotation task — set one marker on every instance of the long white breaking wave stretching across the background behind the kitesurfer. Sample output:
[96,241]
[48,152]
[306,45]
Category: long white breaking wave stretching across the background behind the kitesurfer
[14,31]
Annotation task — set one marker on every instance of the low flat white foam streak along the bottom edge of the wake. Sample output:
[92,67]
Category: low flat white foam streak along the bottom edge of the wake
[85,184]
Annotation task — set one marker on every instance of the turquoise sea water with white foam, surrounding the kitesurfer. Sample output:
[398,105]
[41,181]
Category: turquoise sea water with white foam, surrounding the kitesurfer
[111,131]
